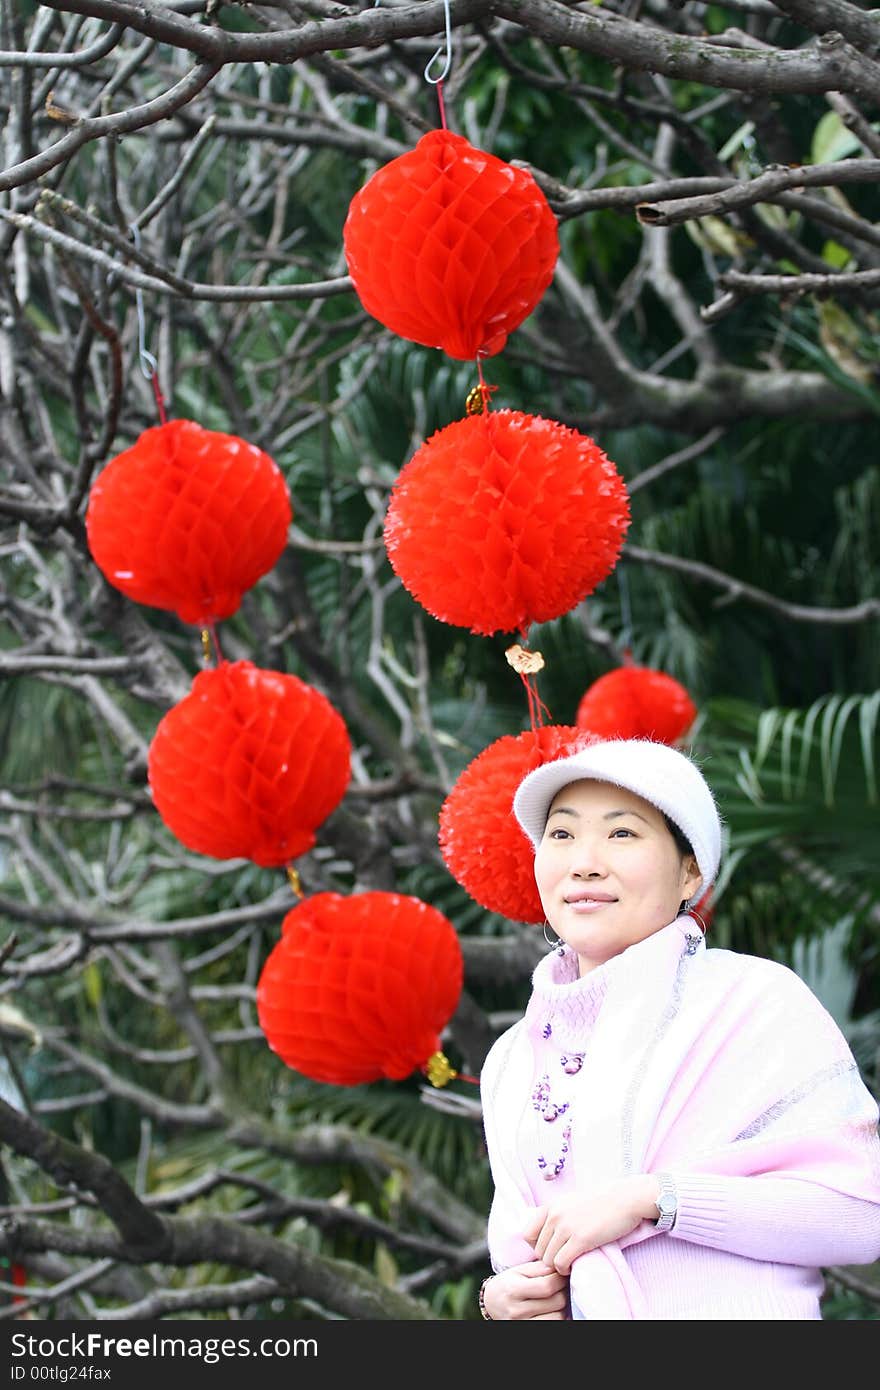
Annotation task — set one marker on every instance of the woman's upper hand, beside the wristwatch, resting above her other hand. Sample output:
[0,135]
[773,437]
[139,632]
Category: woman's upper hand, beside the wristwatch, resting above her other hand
[573,1225]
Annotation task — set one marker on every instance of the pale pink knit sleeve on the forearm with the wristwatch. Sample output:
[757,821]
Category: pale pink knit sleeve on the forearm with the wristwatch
[772,1217]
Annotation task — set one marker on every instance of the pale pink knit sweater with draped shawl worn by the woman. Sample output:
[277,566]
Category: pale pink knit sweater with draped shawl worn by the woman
[721,1070]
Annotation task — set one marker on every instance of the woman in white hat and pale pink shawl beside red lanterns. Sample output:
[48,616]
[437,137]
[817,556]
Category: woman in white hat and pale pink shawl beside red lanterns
[675,1134]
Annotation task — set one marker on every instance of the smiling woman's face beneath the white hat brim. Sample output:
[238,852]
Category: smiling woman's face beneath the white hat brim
[608,871]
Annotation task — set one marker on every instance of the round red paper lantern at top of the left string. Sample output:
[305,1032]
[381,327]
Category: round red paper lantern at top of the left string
[188,521]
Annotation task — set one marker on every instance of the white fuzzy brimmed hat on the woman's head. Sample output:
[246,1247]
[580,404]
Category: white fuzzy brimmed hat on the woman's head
[664,776]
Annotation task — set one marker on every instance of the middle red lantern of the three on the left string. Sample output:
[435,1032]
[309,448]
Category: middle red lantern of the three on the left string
[250,765]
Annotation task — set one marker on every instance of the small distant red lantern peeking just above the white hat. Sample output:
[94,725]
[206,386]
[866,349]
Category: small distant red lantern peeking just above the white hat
[637,703]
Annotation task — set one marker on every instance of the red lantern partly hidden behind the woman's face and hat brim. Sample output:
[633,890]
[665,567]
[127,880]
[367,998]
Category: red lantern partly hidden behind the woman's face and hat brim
[480,839]
